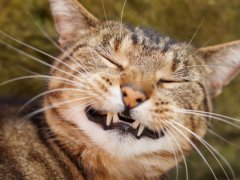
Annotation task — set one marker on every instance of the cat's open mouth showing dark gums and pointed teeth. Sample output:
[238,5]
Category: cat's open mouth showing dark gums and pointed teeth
[121,122]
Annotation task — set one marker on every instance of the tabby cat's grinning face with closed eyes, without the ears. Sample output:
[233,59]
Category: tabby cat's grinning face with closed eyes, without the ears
[131,83]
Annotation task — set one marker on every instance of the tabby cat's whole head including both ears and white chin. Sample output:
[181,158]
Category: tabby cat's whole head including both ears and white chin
[154,85]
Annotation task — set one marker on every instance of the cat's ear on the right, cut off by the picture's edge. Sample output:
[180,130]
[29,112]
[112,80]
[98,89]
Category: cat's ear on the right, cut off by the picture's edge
[224,61]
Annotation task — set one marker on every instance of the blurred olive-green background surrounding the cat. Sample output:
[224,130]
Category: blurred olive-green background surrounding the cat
[178,19]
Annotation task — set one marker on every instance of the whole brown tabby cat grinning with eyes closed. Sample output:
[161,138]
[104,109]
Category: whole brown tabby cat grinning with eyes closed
[123,102]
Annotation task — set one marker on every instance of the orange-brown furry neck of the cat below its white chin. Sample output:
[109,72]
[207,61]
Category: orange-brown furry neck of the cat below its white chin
[91,160]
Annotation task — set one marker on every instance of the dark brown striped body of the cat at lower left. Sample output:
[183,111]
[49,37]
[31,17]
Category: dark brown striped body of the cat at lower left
[25,150]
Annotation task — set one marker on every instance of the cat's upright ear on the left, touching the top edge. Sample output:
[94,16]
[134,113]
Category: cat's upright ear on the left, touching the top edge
[71,19]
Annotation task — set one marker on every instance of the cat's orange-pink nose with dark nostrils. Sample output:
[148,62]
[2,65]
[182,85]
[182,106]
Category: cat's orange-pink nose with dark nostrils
[132,97]
